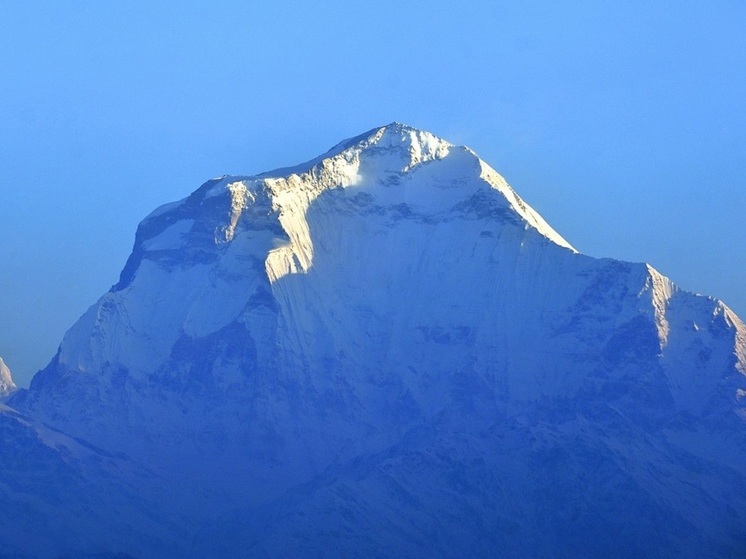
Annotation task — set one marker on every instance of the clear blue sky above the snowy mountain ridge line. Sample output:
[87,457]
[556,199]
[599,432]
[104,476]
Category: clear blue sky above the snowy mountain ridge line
[622,123]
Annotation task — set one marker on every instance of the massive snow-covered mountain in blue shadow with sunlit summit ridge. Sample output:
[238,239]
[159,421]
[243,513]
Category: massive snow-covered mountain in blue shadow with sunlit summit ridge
[386,352]
